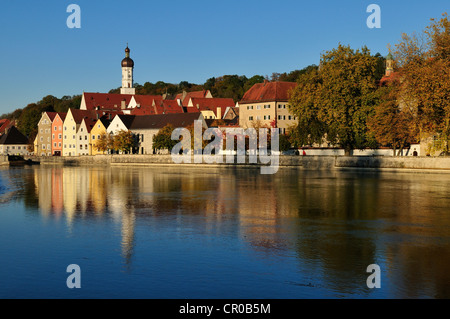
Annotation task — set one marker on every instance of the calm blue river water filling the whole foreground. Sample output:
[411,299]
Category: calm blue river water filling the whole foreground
[181,233]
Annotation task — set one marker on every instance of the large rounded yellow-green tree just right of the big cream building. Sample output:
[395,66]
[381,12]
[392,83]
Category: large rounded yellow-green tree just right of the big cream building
[342,96]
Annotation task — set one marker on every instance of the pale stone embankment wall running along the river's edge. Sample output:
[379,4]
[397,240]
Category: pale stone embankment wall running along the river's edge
[425,164]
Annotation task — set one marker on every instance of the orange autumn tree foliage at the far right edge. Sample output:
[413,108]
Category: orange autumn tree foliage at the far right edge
[424,61]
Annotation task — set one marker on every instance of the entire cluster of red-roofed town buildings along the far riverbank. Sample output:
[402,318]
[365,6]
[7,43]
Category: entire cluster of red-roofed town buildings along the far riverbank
[76,132]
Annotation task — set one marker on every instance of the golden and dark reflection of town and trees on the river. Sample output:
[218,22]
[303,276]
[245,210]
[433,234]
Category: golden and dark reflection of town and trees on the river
[333,223]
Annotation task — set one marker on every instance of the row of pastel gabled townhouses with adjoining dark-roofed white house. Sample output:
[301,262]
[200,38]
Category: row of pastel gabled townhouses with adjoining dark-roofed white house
[77,132]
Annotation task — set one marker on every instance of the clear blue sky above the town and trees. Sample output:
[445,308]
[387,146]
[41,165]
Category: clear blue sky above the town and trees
[176,41]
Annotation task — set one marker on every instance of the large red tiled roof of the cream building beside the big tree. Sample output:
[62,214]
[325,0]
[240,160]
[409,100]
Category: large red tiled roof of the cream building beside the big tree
[269,92]
